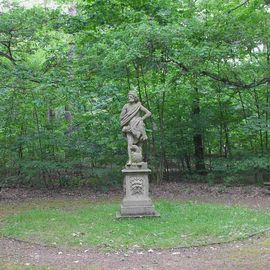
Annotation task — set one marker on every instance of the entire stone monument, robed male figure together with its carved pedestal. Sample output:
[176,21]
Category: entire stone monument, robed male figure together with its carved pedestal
[136,202]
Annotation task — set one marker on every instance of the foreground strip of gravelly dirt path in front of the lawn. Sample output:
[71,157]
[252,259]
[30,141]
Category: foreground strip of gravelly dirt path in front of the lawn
[253,254]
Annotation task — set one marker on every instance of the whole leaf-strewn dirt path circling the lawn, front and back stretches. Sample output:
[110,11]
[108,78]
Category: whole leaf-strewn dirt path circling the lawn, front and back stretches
[253,253]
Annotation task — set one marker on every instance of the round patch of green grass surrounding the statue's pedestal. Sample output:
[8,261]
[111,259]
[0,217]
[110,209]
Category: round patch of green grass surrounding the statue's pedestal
[93,224]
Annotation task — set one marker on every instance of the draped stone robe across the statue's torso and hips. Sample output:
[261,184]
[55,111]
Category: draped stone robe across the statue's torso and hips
[132,123]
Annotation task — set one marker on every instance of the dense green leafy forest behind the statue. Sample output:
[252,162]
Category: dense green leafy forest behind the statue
[202,67]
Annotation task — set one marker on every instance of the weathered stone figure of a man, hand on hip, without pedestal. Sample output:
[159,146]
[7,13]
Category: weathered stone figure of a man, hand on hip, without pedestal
[133,127]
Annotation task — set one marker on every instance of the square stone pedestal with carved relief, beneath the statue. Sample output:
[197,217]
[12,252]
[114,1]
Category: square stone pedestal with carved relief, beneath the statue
[136,202]
